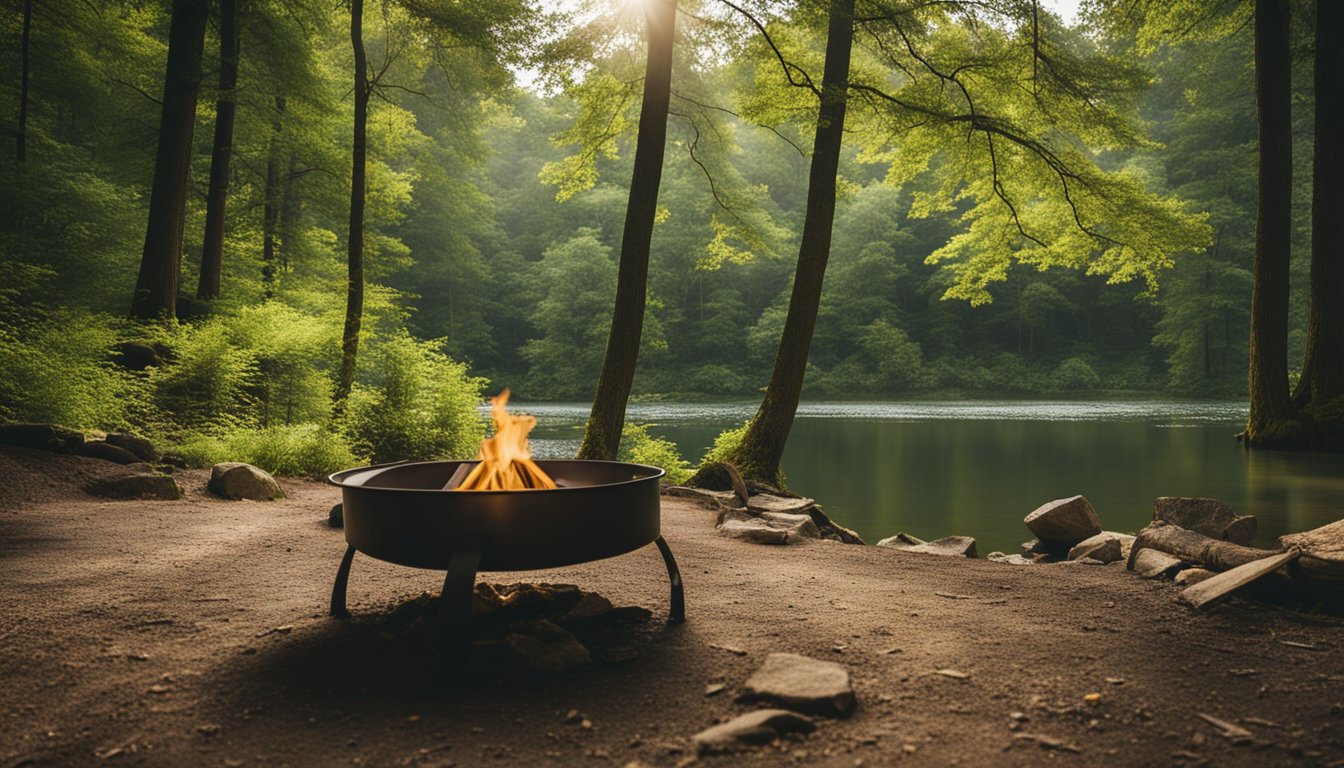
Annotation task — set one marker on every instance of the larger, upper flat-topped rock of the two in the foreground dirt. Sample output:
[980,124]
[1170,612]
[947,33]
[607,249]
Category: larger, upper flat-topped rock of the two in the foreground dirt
[802,684]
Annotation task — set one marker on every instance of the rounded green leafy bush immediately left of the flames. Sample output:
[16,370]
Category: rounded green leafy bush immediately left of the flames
[416,404]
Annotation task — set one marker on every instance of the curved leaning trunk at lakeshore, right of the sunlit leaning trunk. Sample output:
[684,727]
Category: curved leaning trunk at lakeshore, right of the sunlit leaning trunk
[757,458]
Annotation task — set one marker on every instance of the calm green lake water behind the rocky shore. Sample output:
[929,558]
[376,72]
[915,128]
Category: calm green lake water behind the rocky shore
[976,469]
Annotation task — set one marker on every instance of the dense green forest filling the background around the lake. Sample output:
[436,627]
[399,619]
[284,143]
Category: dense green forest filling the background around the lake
[249,225]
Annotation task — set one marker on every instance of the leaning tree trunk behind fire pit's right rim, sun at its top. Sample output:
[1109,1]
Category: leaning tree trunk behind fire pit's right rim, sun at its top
[603,435]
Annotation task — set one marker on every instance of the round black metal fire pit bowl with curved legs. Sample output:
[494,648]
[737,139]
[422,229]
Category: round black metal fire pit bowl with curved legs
[400,513]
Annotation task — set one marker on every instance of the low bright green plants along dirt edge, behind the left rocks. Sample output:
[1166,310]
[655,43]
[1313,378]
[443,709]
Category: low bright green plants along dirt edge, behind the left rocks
[302,450]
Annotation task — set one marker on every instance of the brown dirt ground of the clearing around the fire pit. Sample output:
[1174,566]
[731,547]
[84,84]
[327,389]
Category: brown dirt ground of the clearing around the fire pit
[194,633]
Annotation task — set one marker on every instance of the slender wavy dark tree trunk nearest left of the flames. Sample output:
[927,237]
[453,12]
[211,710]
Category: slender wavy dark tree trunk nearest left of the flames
[355,254]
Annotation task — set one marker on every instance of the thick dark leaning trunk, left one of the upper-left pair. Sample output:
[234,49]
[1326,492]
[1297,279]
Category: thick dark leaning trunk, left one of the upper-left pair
[161,264]
